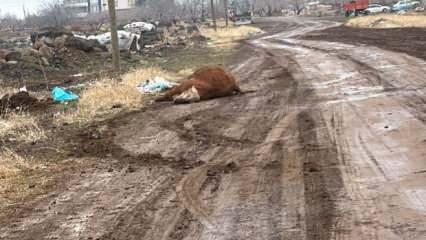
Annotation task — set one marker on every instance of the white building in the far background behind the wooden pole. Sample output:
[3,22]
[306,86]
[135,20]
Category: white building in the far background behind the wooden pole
[82,8]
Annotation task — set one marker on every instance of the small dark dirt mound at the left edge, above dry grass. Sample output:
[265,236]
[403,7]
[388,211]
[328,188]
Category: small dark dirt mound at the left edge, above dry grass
[18,101]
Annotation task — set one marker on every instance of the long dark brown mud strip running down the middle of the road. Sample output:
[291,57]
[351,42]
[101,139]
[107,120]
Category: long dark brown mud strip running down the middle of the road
[322,179]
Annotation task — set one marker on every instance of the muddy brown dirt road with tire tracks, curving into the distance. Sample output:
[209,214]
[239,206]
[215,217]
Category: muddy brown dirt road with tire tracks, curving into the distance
[331,145]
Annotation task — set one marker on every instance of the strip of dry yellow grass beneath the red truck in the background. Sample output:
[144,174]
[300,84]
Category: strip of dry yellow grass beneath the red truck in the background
[388,21]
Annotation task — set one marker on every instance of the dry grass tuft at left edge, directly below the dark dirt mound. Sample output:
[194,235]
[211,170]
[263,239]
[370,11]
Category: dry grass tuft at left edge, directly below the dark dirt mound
[21,126]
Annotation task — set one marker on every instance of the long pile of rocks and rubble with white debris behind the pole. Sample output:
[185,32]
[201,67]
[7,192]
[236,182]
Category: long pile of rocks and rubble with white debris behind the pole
[65,51]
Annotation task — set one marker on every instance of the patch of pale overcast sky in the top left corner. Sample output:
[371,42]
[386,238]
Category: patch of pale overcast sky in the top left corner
[15,6]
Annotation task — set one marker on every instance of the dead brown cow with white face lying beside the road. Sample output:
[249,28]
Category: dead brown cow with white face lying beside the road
[205,83]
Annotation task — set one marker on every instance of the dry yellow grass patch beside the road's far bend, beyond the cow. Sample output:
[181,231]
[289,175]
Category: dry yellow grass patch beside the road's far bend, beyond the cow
[228,36]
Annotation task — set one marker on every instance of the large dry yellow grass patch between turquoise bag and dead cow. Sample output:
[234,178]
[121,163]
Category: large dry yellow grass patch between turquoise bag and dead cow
[98,99]
